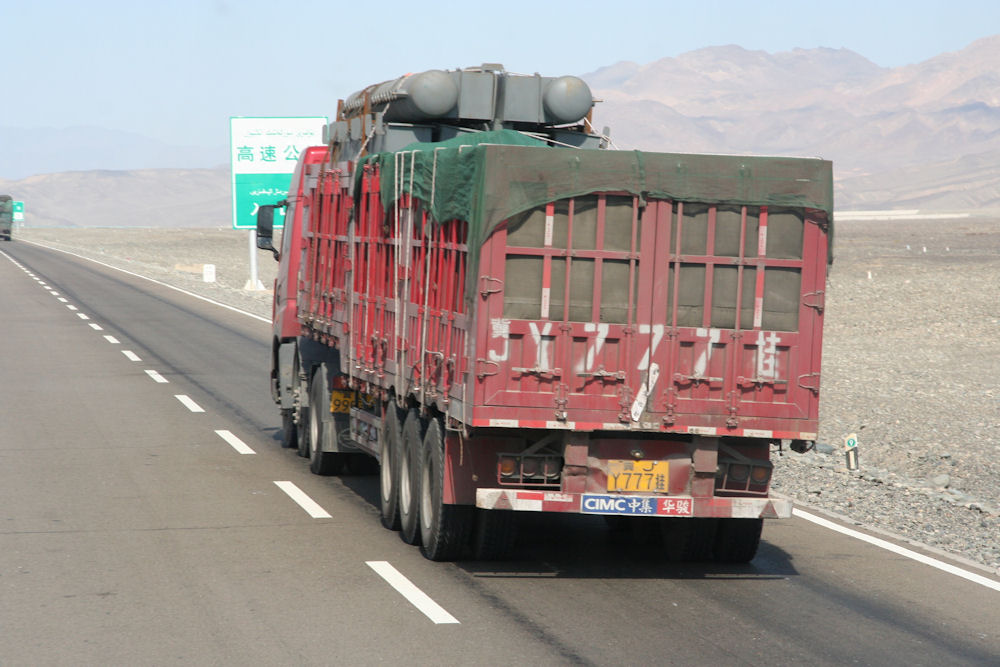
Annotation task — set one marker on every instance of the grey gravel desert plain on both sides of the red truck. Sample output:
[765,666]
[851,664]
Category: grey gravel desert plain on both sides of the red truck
[911,362]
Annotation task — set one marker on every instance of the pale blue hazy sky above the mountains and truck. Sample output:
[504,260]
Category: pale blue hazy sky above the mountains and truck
[177,70]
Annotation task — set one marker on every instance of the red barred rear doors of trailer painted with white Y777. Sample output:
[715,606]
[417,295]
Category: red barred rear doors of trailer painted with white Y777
[687,315]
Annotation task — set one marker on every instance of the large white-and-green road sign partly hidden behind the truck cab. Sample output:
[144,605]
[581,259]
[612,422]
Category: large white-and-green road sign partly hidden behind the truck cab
[264,152]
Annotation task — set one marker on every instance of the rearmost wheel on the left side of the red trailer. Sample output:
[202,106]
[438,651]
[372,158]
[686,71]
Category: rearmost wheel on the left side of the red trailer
[444,529]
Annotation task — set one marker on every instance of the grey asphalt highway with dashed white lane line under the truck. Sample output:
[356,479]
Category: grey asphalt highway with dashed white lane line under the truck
[133,532]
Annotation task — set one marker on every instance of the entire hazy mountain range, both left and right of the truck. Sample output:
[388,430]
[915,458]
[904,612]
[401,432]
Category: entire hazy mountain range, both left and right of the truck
[924,136]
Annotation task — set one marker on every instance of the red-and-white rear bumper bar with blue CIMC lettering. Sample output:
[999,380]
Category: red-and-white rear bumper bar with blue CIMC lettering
[622,505]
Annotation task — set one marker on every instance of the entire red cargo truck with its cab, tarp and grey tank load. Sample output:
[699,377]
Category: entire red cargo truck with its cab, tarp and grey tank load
[509,316]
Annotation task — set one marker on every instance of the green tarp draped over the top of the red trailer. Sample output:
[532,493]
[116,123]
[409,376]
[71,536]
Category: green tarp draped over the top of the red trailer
[487,177]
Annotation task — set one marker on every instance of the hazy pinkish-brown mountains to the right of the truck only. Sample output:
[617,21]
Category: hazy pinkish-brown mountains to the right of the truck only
[925,135]
